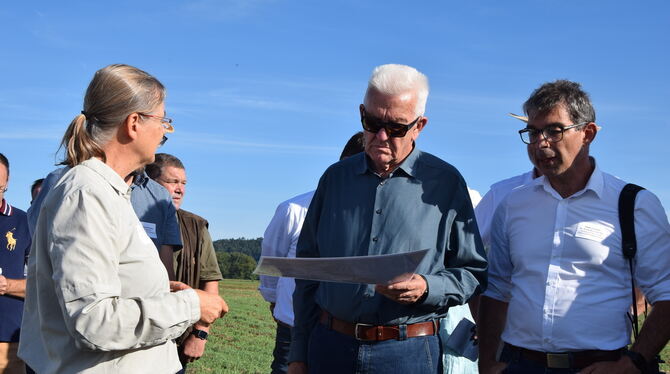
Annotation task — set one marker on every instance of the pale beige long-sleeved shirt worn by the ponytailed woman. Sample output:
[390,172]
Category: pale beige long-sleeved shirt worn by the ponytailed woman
[97,297]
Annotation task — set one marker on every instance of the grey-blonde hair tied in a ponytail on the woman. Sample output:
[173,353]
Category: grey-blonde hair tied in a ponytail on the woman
[115,92]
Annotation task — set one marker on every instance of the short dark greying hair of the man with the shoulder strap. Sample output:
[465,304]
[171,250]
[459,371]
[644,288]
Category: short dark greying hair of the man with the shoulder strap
[551,94]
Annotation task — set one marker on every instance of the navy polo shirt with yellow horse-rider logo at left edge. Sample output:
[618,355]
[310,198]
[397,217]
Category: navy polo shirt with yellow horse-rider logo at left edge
[14,250]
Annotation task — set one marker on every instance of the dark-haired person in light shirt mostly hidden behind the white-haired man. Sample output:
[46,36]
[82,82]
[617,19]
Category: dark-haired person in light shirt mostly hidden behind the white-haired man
[280,240]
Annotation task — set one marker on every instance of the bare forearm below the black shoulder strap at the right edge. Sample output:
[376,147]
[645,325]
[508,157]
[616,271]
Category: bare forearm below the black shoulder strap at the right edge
[655,332]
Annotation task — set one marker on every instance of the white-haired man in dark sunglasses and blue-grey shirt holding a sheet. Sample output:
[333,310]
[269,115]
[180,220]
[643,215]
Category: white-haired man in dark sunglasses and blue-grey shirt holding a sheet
[392,198]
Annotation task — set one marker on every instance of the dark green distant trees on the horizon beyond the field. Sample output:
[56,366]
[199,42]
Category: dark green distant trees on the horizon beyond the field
[237,257]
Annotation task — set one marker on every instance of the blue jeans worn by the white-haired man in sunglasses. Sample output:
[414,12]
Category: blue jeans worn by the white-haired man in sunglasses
[332,352]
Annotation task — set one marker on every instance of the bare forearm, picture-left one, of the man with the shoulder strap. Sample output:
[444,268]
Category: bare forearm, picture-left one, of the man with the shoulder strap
[492,318]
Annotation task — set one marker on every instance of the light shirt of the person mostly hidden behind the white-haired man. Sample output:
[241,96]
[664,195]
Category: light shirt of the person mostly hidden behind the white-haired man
[280,240]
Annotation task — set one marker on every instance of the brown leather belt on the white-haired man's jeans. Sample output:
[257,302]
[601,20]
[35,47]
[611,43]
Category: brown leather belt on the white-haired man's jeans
[369,333]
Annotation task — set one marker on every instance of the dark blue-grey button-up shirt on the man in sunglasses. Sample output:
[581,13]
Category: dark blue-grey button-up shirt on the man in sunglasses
[424,204]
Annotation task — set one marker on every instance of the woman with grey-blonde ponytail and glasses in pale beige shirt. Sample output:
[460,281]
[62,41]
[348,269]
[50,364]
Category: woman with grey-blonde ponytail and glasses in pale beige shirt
[98,298]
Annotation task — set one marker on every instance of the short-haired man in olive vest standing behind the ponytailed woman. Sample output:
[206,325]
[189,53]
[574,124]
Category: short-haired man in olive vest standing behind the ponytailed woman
[195,264]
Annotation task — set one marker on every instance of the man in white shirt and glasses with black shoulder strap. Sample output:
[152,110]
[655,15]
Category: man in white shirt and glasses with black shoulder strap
[559,285]
